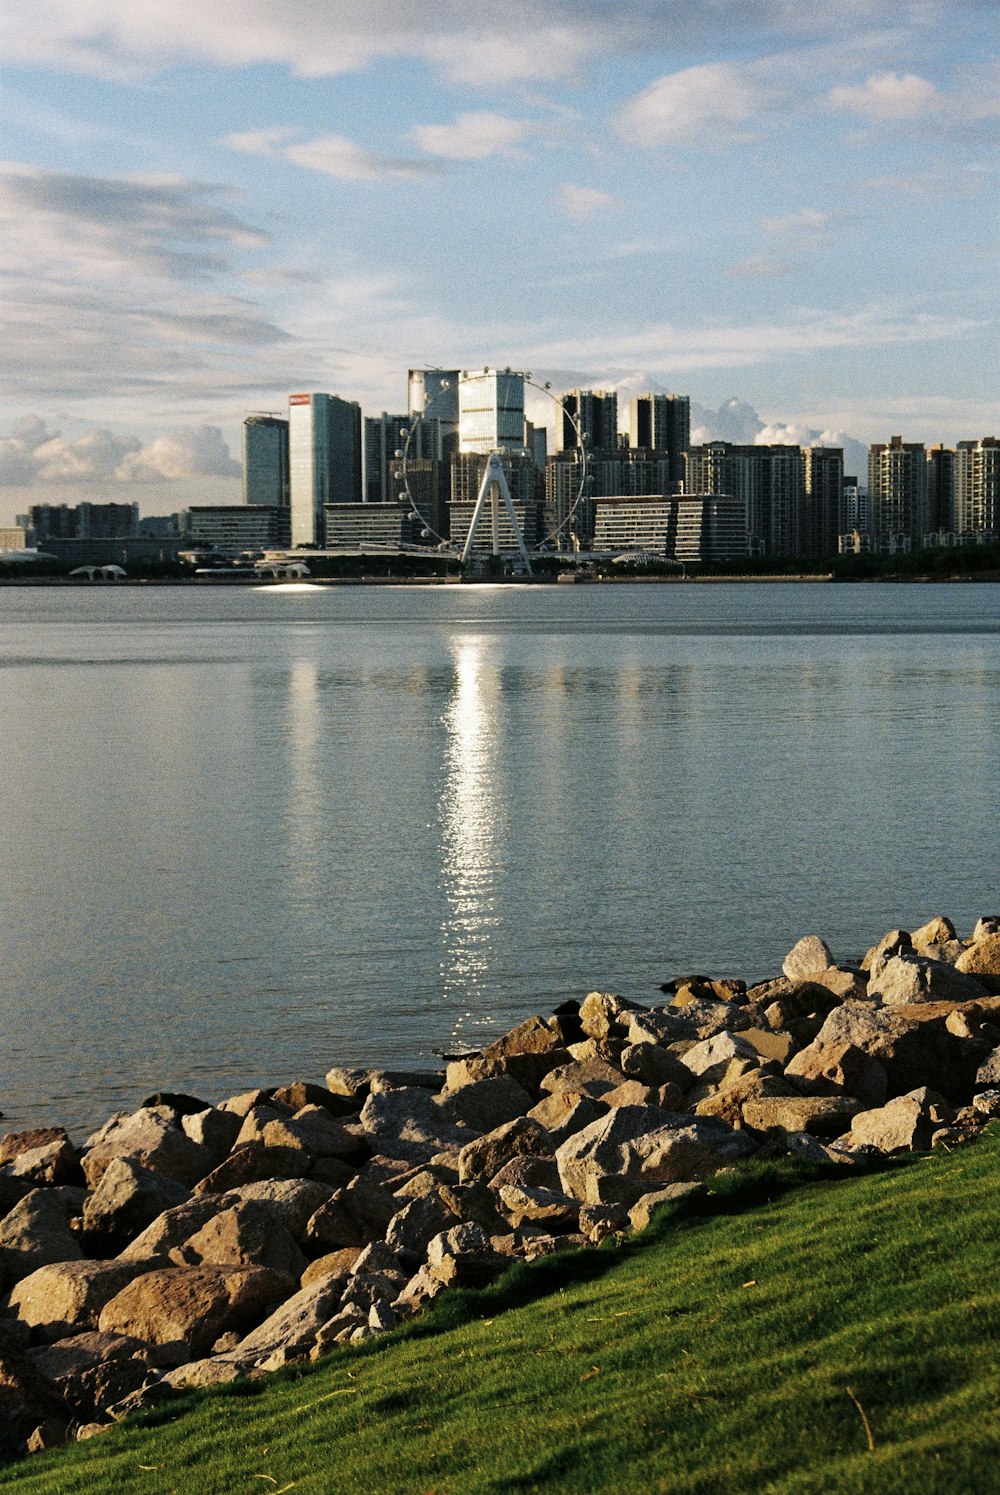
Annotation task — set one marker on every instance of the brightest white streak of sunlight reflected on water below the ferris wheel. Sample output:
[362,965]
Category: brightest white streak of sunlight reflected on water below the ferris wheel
[470,827]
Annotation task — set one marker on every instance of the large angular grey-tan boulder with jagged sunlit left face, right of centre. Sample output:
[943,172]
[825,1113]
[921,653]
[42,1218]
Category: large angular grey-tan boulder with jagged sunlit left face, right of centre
[636,1149]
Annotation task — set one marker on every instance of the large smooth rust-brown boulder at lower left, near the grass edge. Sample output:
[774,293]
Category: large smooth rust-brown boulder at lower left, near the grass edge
[194,1304]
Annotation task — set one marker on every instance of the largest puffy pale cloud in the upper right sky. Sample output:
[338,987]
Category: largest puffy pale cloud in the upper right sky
[711,104]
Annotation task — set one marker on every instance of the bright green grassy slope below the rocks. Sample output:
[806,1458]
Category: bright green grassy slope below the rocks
[723,1352]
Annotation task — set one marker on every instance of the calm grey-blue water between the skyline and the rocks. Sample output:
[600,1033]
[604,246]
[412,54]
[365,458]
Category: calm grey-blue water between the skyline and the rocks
[255,833]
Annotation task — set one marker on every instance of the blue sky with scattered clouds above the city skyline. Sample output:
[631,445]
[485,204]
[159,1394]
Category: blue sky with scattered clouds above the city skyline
[783,209]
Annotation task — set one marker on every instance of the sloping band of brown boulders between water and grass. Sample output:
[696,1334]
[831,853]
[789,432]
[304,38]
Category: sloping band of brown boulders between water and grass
[191,1245]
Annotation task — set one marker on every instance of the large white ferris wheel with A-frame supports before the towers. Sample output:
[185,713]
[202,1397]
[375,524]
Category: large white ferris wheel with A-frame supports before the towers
[494,493]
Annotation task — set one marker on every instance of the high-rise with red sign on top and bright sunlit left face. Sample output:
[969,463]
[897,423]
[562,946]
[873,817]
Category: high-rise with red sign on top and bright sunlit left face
[325,461]
